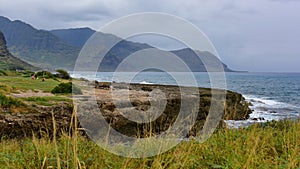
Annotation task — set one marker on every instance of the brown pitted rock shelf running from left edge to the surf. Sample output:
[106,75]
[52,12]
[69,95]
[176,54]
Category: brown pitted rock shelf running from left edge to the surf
[40,120]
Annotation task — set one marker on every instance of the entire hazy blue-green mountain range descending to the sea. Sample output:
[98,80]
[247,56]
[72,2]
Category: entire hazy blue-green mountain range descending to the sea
[60,48]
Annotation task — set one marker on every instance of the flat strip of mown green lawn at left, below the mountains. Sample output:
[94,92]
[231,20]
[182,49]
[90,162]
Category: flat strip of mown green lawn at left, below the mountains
[26,83]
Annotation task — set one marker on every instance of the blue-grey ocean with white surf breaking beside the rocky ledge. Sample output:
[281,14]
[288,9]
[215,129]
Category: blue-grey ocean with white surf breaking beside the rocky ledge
[274,96]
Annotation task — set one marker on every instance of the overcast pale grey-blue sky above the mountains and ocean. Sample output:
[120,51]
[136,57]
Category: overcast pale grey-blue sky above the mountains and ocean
[251,35]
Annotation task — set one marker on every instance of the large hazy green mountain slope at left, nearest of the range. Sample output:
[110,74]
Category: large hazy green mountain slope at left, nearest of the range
[38,47]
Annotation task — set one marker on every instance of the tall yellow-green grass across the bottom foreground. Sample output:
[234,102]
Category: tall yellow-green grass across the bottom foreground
[276,145]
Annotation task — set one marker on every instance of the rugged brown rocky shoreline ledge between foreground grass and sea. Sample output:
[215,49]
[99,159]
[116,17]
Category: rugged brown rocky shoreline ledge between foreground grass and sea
[40,120]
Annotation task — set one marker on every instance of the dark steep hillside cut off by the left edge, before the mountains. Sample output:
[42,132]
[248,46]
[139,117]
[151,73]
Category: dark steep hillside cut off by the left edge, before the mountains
[8,61]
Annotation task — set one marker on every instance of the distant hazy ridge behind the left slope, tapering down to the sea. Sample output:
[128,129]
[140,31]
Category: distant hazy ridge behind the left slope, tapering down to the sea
[124,48]
